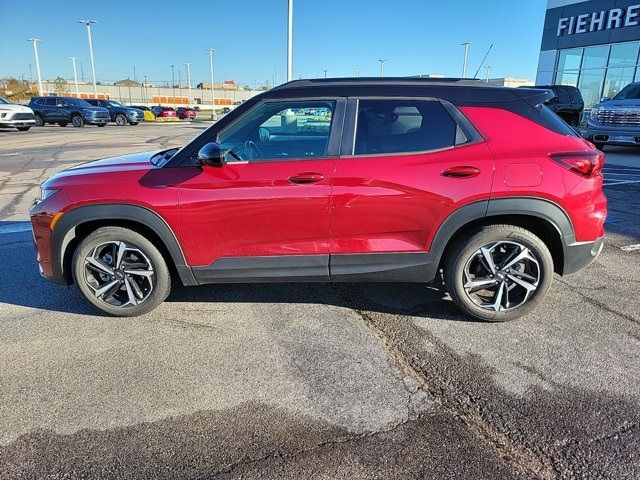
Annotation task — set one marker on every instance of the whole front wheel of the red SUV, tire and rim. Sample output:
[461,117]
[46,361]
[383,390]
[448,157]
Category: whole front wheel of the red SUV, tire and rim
[121,272]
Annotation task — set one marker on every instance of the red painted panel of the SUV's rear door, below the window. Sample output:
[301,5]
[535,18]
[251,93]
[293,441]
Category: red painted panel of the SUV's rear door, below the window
[395,203]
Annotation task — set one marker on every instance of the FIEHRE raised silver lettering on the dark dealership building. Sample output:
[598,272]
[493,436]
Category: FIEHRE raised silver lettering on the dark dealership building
[602,20]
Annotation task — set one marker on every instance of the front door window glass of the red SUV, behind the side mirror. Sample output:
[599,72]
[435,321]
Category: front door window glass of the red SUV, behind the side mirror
[280,131]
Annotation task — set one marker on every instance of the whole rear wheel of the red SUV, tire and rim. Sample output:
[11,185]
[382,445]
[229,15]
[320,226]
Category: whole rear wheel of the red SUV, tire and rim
[498,273]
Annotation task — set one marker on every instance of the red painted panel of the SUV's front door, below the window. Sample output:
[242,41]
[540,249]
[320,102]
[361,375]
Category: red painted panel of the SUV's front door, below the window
[253,209]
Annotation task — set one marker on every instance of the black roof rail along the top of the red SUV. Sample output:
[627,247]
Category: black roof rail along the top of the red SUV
[324,82]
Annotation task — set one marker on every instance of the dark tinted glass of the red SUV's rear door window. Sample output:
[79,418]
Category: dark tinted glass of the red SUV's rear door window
[397,126]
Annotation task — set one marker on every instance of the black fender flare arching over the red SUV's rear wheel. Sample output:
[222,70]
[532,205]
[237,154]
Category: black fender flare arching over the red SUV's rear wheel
[531,206]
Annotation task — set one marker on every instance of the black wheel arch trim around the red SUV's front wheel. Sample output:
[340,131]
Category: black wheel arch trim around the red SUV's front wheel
[65,231]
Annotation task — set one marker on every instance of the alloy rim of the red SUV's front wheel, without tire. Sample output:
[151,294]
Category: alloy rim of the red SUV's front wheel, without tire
[119,274]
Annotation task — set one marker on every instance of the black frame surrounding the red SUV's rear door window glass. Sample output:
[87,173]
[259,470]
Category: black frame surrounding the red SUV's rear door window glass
[351,127]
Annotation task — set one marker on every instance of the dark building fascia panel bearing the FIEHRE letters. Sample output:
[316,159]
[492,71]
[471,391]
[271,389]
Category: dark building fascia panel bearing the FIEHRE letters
[594,22]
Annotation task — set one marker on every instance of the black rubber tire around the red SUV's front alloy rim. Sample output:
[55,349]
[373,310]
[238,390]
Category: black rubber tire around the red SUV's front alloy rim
[160,280]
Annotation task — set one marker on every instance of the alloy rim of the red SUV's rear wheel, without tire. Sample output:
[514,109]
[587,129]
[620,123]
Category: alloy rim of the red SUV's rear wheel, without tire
[501,276]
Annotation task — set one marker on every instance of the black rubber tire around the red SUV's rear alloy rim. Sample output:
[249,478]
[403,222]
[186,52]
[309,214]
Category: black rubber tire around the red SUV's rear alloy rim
[467,246]
